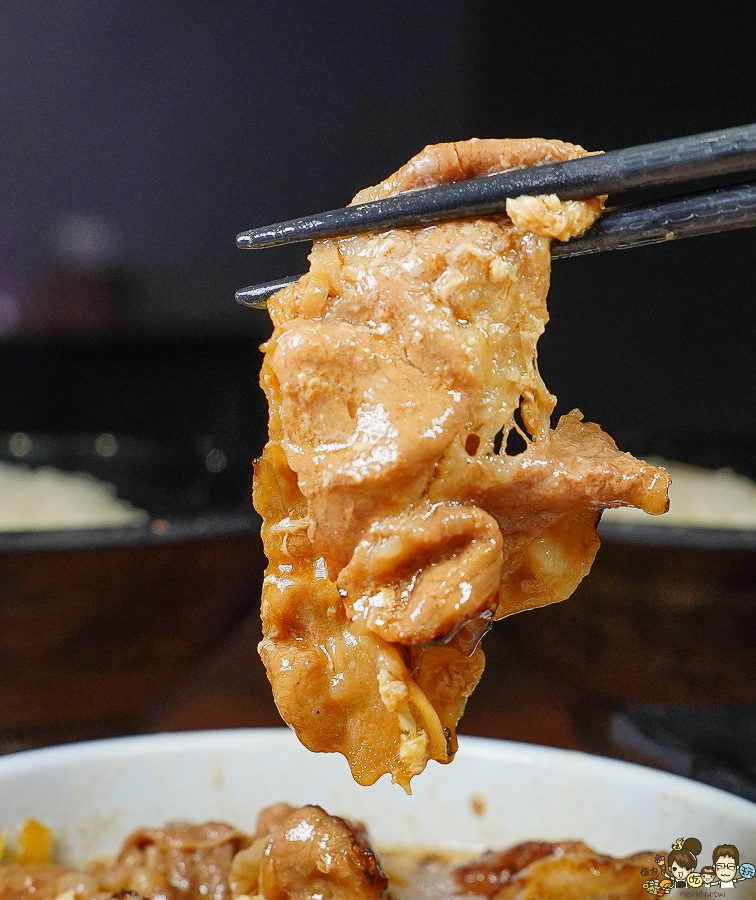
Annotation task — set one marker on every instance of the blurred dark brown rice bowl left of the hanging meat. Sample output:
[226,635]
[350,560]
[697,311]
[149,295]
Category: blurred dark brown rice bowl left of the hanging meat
[97,624]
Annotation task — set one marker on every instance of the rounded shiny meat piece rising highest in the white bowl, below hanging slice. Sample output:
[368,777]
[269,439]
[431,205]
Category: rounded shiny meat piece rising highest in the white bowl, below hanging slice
[312,854]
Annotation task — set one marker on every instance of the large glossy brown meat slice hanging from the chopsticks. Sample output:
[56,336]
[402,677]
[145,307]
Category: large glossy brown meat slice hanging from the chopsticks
[396,524]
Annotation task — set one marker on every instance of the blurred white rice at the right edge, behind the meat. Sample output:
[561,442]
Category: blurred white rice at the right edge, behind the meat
[700,498]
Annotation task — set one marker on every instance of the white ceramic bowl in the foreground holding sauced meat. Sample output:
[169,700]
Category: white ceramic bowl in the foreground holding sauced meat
[93,794]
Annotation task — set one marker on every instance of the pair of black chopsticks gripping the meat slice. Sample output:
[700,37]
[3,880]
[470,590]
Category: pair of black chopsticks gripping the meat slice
[674,167]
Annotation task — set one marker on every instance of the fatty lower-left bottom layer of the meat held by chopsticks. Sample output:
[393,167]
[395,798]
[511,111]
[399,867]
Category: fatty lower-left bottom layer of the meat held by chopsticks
[339,688]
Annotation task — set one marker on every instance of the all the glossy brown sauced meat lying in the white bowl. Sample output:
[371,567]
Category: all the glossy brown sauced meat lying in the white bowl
[305,854]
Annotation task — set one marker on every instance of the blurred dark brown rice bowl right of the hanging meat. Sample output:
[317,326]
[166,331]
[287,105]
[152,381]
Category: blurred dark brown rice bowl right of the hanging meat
[668,614]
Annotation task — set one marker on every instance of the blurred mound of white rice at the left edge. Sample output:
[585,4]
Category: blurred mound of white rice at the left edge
[47,499]
